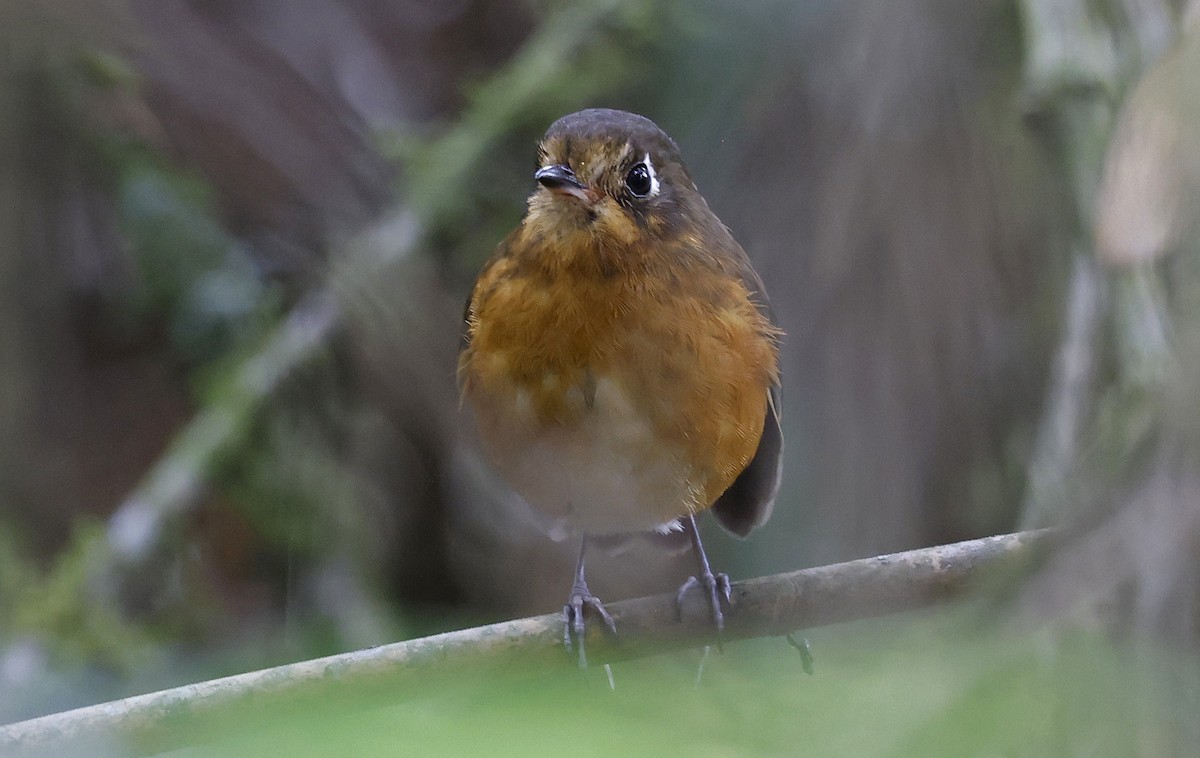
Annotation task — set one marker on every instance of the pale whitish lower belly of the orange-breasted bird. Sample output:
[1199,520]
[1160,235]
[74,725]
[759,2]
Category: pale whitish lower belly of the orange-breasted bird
[605,472]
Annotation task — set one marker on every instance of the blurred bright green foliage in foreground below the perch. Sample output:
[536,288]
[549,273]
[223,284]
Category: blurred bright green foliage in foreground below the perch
[915,687]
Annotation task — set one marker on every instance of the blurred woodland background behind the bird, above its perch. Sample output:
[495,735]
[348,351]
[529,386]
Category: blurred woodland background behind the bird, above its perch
[236,239]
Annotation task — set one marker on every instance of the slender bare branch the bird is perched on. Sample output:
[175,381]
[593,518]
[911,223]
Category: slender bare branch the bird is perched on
[763,607]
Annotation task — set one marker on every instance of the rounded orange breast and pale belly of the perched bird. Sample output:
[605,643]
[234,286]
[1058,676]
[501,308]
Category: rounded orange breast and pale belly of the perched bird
[617,402]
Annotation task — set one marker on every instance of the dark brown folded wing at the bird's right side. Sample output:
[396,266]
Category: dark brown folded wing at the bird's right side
[749,501]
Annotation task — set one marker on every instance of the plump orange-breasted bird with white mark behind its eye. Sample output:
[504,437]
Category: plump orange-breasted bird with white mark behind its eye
[621,359]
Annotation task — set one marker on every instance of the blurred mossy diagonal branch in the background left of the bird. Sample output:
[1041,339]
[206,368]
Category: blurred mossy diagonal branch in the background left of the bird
[141,533]
